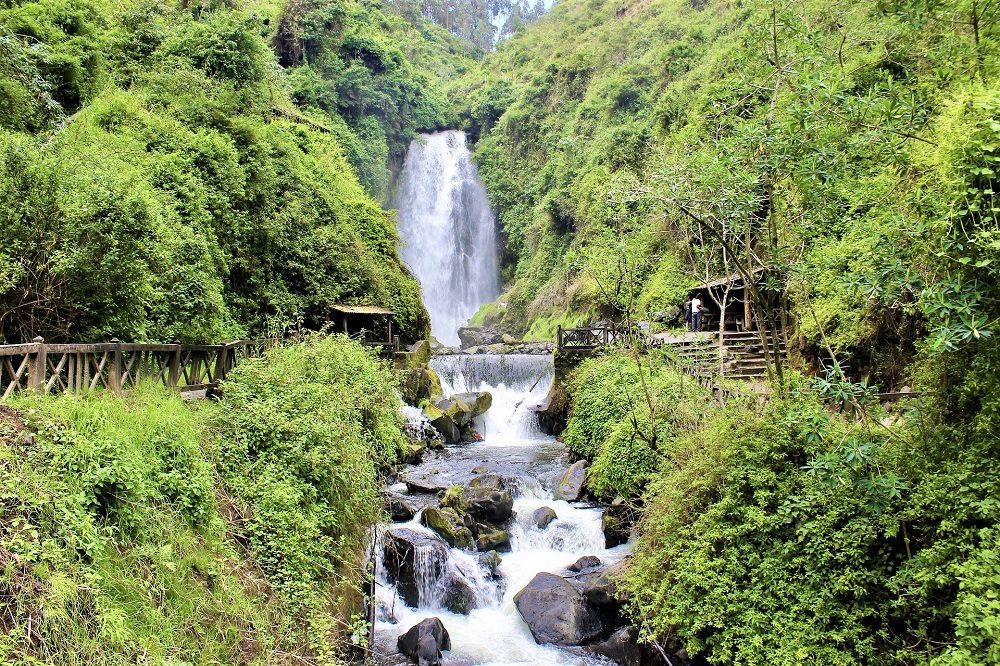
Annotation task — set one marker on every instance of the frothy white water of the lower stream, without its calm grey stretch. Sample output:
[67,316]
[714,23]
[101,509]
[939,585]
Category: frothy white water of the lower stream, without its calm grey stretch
[493,633]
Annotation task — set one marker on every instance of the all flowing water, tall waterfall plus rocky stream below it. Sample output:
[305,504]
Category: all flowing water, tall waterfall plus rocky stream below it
[449,241]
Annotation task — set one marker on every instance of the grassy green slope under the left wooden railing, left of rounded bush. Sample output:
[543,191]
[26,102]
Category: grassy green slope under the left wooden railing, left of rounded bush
[112,547]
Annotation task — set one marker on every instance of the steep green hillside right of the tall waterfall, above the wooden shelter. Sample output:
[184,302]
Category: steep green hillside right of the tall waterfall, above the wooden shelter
[827,134]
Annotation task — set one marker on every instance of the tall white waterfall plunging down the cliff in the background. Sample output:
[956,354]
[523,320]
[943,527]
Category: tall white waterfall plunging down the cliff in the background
[448,232]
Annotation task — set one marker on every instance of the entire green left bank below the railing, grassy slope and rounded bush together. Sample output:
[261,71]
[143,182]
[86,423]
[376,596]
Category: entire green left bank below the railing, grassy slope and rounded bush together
[142,529]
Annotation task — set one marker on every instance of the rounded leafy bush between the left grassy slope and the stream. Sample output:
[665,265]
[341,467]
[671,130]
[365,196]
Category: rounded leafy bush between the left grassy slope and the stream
[298,441]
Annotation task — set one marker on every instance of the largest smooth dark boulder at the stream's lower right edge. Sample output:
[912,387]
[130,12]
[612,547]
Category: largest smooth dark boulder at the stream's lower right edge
[557,612]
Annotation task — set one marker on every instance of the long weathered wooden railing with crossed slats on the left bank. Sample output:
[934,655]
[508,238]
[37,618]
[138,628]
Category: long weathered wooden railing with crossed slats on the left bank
[117,366]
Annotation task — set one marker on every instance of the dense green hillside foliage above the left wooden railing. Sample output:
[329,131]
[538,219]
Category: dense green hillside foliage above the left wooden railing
[157,183]
